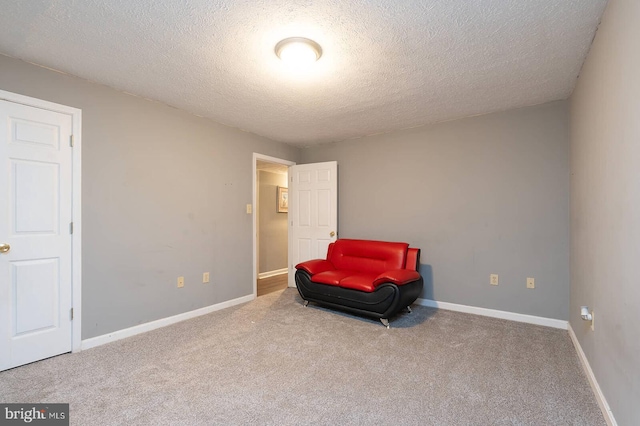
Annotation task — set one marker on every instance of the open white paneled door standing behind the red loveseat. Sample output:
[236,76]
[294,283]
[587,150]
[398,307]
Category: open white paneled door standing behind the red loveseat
[313,212]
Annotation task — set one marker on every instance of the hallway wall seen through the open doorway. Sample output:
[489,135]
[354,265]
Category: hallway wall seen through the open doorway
[272,226]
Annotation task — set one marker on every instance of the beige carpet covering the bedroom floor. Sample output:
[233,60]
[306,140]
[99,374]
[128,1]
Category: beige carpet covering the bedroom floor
[274,362]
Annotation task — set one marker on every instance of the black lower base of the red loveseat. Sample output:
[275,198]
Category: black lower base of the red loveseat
[383,303]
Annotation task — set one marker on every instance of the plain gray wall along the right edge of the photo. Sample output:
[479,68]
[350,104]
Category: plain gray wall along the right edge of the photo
[605,207]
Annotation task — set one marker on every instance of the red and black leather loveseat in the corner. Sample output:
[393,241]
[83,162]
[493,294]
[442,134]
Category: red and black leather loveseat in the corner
[372,278]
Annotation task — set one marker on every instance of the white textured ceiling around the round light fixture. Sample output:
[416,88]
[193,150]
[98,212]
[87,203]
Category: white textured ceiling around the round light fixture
[387,64]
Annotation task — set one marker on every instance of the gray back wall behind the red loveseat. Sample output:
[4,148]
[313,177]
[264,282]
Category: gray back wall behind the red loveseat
[481,195]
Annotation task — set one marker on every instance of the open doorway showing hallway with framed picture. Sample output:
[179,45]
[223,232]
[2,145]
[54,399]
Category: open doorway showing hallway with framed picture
[271,236]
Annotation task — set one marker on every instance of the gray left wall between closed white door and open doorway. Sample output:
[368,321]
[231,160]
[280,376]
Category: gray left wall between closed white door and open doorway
[164,195]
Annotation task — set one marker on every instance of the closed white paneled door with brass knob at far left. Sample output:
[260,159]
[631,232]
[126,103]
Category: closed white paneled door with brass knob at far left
[35,235]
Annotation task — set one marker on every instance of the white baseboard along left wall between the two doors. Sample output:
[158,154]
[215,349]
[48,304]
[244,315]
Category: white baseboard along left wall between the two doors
[142,328]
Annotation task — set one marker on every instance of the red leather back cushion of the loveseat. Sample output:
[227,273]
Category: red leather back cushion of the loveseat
[367,256]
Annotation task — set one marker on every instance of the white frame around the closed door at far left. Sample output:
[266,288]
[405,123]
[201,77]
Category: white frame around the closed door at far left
[76,204]
